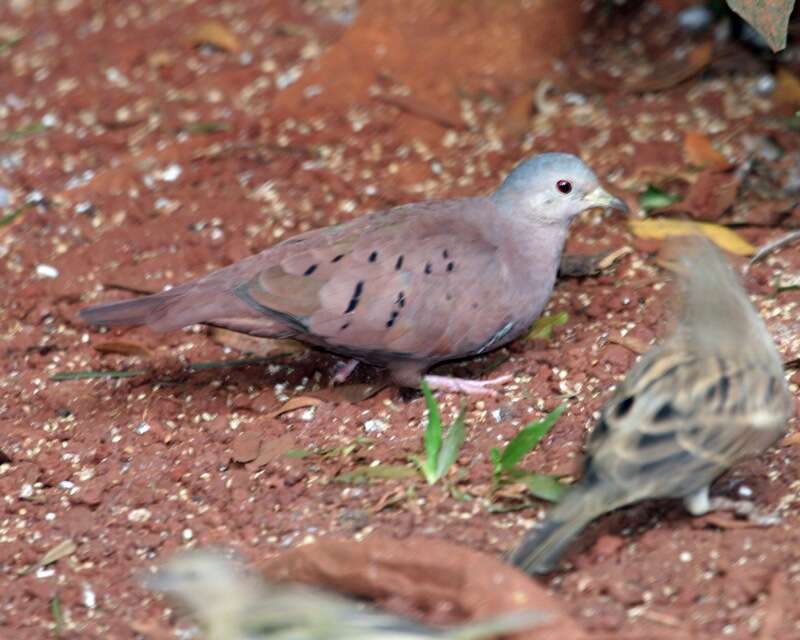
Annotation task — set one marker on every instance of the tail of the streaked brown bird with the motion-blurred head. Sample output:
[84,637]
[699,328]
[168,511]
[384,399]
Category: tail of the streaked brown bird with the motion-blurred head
[541,549]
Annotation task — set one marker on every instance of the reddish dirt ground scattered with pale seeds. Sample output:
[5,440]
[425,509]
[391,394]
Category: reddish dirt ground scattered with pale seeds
[152,145]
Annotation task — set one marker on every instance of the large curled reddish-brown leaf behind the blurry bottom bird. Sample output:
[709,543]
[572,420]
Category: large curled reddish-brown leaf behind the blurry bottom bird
[424,574]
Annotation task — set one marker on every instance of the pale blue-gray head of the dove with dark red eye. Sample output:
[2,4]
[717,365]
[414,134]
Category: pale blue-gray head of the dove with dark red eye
[554,188]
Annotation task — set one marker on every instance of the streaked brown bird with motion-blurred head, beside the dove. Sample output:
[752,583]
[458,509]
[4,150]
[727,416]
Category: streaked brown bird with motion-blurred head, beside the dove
[713,393]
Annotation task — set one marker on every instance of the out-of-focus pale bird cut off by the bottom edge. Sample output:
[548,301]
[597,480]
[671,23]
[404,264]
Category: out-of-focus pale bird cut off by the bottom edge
[229,603]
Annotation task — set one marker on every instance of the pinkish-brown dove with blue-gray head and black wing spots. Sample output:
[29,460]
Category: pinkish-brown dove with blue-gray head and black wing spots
[405,288]
